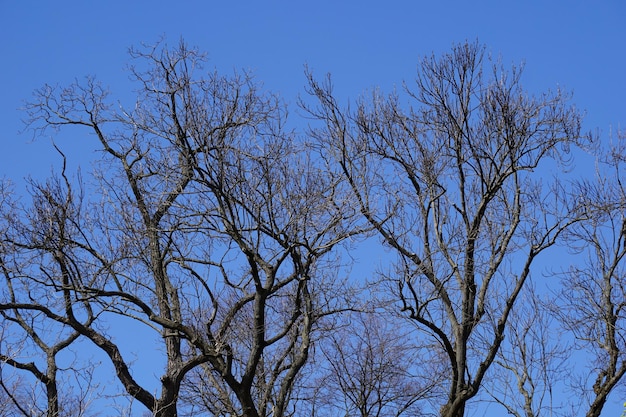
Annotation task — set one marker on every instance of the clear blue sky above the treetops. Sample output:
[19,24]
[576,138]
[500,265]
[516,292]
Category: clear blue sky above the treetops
[577,45]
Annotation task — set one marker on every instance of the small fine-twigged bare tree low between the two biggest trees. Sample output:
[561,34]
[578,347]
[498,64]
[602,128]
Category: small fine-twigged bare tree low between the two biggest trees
[373,371]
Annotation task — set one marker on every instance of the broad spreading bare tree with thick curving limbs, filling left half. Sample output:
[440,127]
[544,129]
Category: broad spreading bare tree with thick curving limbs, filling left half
[209,224]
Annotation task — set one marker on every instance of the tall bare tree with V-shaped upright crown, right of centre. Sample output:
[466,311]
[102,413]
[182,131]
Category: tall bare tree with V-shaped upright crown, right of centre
[452,184]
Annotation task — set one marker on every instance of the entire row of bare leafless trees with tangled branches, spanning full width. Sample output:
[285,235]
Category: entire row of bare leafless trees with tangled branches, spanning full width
[230,232]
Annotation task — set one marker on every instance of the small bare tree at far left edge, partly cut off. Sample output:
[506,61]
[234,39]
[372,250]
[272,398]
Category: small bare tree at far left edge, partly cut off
[30,344]
